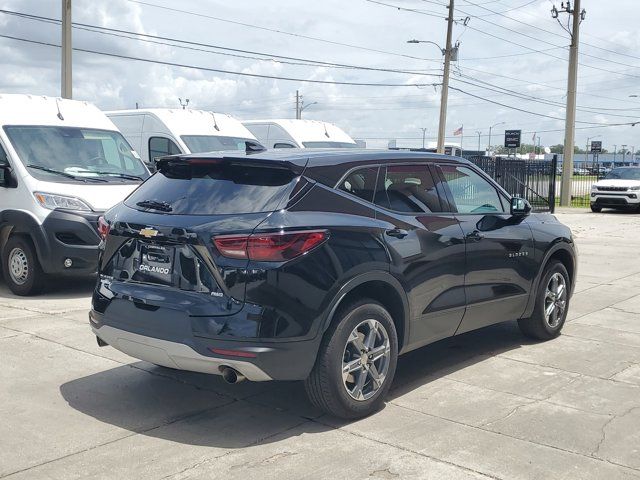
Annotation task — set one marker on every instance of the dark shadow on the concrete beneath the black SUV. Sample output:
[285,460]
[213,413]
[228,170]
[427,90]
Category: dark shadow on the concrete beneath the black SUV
[198,409]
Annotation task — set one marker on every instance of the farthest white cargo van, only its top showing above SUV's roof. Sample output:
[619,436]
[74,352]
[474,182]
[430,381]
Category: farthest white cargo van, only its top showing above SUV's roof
[299,134]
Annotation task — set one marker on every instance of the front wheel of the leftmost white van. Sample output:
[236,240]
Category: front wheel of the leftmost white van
[21,267]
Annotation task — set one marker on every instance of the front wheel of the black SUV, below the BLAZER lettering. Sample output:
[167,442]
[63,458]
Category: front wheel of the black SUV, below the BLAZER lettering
[552,304]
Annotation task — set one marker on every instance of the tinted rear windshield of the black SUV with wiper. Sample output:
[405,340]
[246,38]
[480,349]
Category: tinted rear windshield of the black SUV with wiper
[213,189]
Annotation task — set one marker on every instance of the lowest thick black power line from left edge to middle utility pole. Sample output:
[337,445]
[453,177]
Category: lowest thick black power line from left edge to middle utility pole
[217,70]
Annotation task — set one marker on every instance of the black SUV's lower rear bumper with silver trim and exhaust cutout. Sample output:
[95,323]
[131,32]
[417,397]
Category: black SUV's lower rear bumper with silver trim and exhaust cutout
[268,361]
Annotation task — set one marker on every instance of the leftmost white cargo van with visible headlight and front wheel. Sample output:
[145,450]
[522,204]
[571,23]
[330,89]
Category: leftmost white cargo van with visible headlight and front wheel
[62,163]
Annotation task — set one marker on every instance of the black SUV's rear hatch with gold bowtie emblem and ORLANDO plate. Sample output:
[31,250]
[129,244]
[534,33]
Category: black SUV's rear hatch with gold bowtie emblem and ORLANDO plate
[160,252]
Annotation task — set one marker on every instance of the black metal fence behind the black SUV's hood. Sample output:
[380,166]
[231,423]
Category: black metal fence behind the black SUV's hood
[534,180]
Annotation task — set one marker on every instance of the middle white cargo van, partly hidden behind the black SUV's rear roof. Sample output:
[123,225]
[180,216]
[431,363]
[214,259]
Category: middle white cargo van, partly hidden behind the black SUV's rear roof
[156,132]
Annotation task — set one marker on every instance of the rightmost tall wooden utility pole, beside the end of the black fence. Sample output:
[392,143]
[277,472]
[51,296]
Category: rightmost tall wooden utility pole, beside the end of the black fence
[572,81]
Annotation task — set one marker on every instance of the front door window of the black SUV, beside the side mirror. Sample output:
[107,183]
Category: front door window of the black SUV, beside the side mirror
[471,192]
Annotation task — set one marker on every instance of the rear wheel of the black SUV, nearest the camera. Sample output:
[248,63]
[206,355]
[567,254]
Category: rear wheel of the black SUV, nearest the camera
[356,362]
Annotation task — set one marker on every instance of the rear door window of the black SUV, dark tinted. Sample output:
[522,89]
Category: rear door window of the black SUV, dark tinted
[408,188]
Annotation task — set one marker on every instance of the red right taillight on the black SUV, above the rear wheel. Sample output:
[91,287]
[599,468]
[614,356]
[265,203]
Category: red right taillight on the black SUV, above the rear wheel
[270,247]
